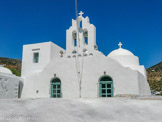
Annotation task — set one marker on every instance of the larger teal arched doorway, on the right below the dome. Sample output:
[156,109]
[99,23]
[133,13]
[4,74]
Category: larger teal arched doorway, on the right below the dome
[105,86]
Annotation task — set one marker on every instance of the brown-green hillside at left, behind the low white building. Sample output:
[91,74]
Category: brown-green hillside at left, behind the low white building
[13,64]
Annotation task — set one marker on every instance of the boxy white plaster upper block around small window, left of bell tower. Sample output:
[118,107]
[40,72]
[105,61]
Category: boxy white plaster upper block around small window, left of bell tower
[47,51]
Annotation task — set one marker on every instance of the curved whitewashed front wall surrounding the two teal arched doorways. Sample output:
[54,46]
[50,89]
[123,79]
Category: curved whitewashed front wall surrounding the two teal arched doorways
[125,80]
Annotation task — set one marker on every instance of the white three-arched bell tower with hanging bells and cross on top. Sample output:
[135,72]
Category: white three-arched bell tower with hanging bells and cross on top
[81,35]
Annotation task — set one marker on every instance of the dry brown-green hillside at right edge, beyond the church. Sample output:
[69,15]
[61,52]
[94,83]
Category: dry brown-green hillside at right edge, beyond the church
[154,75]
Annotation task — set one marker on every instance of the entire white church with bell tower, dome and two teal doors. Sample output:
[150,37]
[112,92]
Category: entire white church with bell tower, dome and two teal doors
[81,70]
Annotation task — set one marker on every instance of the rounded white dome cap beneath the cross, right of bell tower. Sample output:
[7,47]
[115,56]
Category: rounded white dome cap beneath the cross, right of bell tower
[119,52]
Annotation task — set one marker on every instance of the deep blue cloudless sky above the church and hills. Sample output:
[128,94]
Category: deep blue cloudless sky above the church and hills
[136,23]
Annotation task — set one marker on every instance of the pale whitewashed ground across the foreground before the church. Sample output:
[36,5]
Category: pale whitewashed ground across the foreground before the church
[80,110]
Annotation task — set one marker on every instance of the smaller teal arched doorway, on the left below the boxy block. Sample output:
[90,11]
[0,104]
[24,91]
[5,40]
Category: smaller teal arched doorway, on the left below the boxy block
[56,88]
